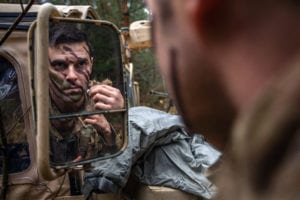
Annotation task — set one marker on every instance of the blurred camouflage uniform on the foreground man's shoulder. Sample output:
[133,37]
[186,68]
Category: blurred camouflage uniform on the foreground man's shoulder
[264,162]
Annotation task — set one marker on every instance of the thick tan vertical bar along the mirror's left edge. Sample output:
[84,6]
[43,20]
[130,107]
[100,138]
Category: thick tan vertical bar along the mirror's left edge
[42,94]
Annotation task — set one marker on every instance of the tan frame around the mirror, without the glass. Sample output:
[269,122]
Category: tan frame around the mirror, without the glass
[40,63]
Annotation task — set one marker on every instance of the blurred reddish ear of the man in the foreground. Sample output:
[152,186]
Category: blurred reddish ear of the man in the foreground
[207,16]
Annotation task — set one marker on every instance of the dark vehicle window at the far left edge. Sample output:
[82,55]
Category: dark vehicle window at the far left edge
[14,148]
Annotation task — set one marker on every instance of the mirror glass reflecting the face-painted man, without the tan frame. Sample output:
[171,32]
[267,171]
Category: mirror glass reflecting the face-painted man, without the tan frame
[86,89]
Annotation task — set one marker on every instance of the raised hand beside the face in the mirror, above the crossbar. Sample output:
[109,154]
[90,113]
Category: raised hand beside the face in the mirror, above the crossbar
[106,97]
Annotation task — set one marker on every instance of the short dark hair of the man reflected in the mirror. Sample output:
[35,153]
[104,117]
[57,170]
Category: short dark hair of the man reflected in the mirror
[66,33]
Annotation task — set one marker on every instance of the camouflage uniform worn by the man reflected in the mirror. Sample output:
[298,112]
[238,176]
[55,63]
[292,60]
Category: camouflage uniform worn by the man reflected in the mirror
[83,140]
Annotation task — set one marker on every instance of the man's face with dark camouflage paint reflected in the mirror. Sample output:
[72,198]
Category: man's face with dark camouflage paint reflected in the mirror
[70,68]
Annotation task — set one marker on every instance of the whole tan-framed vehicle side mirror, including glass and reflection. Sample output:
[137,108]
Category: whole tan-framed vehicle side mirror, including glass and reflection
[77,68]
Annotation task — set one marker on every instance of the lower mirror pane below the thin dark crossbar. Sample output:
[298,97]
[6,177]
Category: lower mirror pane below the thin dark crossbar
[86,141]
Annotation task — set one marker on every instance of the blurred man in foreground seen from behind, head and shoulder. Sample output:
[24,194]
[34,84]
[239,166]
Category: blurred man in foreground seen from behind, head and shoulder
[233,67]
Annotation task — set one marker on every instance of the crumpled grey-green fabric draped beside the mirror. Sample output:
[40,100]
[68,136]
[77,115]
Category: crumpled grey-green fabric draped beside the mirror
[160,152]
